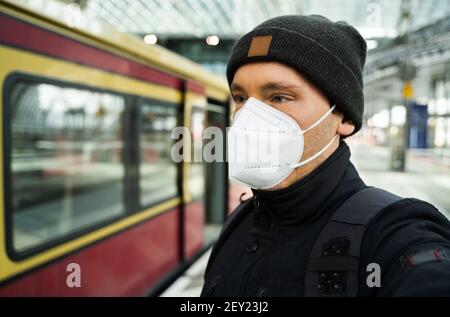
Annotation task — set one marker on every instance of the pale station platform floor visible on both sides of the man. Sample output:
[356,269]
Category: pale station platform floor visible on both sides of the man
[427,177]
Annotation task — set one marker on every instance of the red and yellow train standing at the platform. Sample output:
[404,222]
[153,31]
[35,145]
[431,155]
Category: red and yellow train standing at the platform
[86,167]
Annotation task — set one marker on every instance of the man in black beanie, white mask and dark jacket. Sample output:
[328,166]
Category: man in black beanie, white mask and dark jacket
[313,228]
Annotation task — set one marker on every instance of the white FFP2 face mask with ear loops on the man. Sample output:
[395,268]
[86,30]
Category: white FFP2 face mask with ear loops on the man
[265,145]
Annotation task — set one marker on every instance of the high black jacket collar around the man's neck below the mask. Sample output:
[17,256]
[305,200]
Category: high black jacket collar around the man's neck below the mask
[307,199]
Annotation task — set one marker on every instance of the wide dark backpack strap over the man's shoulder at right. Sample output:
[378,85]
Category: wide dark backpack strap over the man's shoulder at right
[333,264]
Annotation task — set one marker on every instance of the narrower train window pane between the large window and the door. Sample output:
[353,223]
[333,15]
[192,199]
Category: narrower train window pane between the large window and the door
[157,171]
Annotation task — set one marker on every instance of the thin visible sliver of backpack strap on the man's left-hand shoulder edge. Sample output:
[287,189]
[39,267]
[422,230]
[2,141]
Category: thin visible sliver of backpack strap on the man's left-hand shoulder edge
[230,224]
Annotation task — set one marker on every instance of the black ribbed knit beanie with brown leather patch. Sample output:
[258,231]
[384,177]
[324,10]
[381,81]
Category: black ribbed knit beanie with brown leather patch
[330,54]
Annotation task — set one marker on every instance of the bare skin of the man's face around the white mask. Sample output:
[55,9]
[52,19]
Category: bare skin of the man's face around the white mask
[286,90]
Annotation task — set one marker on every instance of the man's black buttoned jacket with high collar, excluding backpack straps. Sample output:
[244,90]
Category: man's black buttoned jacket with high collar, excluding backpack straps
[267,252]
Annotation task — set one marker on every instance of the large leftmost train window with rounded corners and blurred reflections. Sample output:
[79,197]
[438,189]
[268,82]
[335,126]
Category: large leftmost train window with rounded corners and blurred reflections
[66,161]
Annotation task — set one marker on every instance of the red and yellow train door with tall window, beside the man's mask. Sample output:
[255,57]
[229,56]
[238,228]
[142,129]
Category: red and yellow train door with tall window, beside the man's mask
[204,185]
